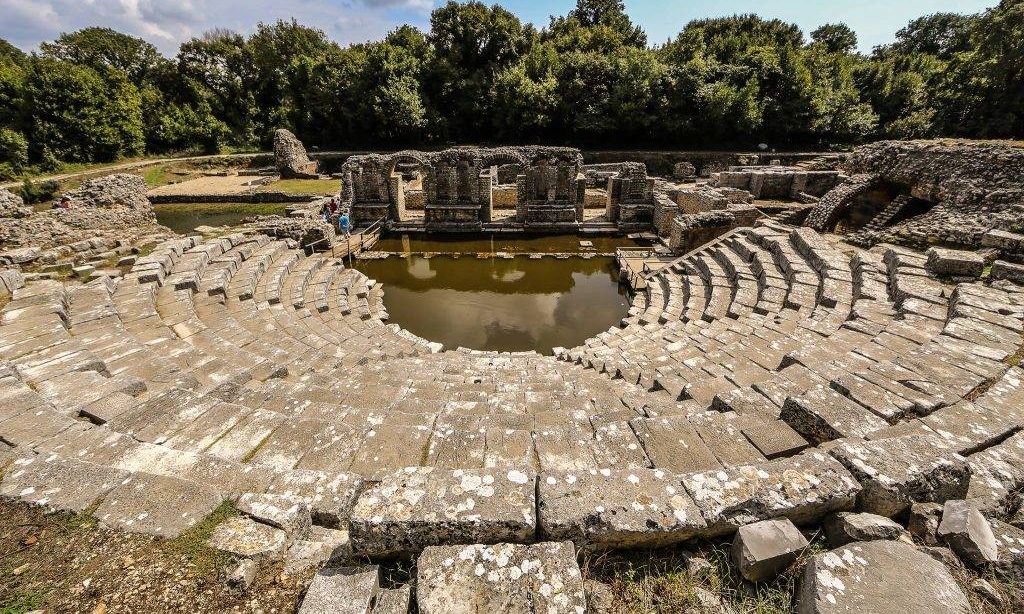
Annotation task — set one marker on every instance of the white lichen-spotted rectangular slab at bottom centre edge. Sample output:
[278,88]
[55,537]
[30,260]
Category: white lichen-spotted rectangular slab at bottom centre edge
[505,578]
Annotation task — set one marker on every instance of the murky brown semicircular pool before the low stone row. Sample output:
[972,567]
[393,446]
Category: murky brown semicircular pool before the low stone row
[501,304]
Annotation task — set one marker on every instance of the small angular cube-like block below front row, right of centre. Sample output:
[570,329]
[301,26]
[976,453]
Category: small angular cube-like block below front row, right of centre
[763,550]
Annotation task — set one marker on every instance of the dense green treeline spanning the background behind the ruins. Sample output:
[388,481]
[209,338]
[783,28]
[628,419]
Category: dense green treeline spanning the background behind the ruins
[481,75]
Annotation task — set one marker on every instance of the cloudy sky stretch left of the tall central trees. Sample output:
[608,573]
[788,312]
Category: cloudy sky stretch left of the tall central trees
[167,23]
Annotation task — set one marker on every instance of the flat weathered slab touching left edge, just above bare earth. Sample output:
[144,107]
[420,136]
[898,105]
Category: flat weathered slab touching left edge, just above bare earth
[59,486]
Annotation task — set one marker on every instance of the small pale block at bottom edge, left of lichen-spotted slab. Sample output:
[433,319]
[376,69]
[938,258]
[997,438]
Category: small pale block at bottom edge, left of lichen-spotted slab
[343,591]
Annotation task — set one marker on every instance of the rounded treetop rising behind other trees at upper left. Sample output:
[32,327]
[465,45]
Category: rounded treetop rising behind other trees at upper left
[103,48]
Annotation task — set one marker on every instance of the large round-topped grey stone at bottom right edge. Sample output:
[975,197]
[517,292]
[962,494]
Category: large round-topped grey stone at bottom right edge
[879,578]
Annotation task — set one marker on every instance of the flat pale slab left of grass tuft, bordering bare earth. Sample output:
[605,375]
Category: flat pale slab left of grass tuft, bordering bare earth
[157,506]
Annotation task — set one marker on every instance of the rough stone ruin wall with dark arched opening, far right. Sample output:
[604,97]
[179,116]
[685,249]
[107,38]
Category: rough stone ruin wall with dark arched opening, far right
[972,189]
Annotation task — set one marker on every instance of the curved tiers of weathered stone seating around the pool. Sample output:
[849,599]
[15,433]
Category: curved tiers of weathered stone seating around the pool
[772,374]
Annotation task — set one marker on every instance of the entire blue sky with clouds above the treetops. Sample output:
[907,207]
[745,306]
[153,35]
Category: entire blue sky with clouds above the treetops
[167,23]
